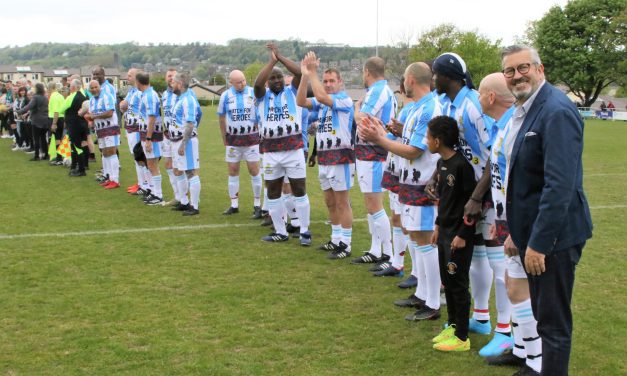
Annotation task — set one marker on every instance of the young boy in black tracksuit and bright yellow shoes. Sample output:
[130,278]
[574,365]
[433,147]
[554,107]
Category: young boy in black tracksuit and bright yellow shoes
[453,234]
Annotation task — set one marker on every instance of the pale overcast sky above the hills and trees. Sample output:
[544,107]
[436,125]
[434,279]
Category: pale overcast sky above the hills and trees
[351,22]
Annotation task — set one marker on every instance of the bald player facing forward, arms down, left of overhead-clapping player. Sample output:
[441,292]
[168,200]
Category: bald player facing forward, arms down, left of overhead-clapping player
[240,135]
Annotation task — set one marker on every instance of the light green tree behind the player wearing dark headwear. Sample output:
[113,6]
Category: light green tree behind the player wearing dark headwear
[480,54]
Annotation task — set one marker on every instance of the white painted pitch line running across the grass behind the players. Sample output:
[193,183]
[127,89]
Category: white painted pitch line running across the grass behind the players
[184,228]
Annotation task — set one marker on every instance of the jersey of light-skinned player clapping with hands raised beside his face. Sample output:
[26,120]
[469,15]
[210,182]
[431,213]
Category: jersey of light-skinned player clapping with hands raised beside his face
[334,135]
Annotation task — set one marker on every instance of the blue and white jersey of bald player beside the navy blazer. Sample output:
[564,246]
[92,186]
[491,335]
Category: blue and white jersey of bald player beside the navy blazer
[499,160]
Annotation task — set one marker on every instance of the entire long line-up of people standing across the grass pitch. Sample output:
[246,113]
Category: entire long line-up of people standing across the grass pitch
[478,191]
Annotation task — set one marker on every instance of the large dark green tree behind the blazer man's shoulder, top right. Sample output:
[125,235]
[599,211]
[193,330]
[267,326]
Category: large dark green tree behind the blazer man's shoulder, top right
[583,45]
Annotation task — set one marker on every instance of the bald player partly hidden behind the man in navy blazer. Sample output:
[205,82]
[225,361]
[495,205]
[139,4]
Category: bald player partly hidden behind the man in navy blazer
[498,102]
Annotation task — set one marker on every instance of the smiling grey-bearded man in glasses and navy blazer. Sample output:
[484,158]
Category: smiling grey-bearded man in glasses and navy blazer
[547,211]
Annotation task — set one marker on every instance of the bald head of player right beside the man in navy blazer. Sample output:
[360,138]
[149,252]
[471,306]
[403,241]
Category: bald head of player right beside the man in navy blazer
[494,96]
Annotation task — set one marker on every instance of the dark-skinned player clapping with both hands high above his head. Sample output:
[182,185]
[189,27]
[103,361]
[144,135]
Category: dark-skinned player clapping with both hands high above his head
[283,156]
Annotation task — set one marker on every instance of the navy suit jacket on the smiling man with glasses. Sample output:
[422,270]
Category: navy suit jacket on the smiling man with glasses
[547,208]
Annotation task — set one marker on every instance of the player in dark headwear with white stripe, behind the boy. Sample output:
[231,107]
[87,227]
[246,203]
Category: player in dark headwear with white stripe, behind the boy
[475,138]
